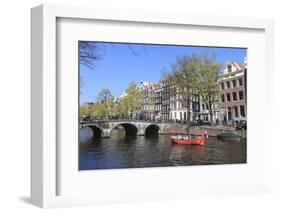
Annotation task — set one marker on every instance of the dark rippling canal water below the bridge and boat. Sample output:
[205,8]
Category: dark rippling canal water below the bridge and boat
[120,151]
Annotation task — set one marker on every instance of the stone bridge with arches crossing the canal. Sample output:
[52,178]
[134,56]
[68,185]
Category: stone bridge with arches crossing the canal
[102,129]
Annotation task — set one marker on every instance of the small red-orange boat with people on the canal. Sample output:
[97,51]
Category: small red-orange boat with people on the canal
[187,140]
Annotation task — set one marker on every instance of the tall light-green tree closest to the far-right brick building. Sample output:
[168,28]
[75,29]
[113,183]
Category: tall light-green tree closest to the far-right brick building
[207,81]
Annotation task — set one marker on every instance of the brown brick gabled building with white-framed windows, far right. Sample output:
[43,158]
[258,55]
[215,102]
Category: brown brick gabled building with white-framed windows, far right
[232,95]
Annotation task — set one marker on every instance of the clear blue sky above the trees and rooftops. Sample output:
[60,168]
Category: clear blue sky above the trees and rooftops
[122,63]
